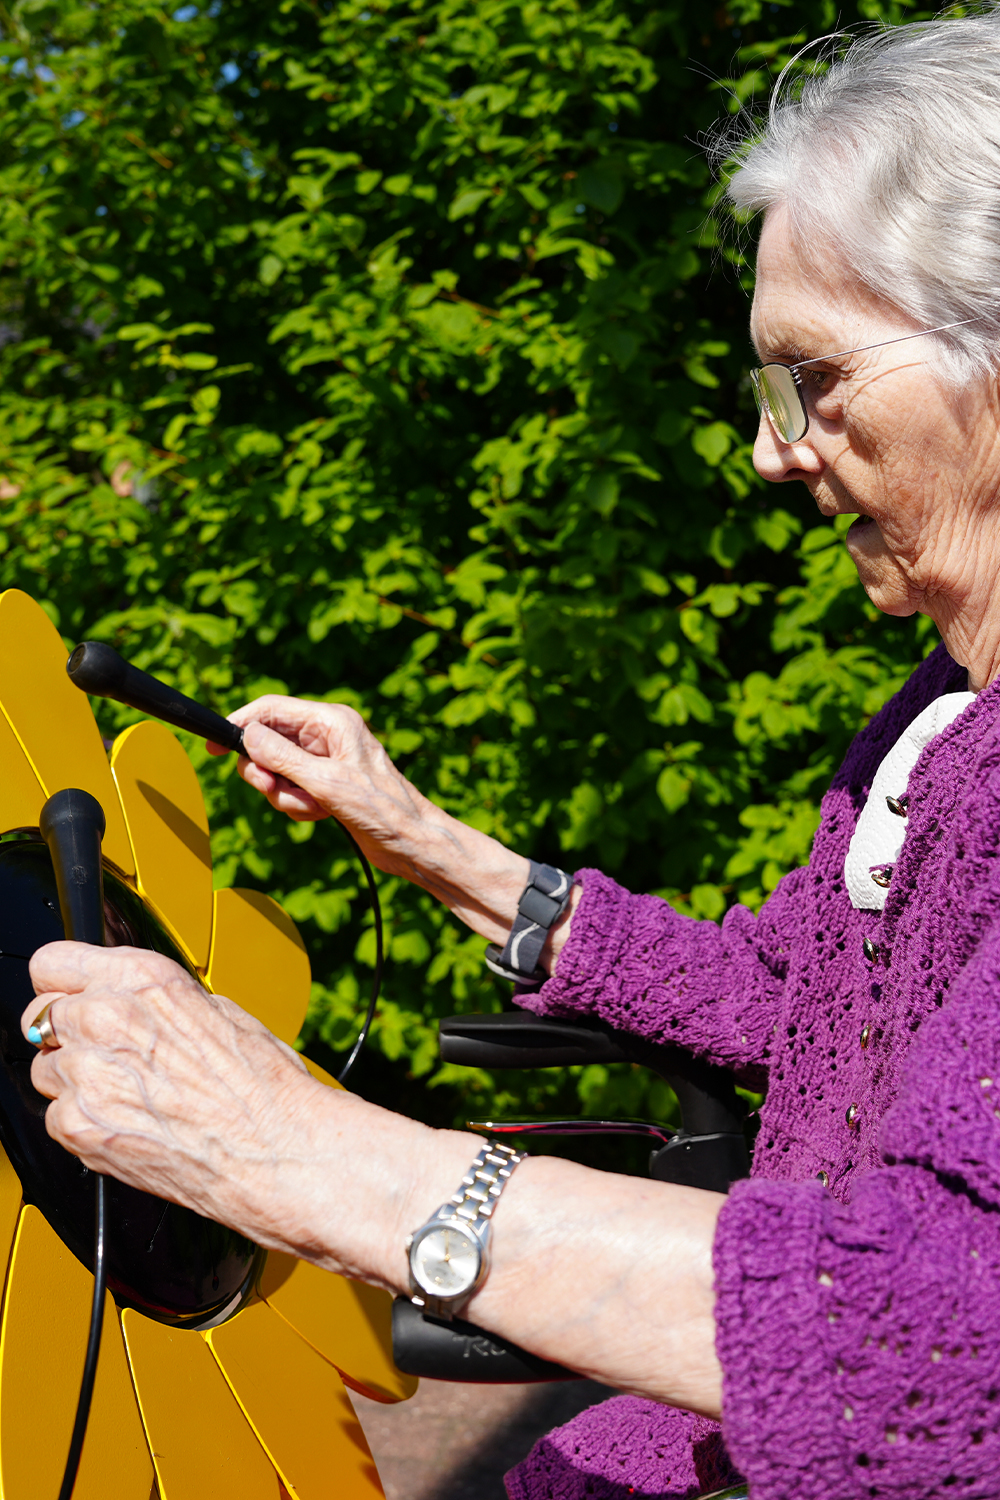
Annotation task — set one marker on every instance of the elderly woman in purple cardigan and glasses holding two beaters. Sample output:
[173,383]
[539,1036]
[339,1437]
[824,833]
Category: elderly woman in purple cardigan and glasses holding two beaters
[839,1312]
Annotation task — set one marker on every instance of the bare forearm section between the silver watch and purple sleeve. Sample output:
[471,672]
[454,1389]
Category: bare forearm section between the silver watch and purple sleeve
[609,1276]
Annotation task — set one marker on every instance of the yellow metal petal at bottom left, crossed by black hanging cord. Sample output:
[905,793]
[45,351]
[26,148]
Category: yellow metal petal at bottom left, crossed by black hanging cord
[46,1321]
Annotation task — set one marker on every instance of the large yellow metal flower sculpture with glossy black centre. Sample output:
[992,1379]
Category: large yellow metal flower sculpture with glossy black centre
[254,1408]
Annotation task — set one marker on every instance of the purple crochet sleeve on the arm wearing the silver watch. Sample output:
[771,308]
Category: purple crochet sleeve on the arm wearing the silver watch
[861,1343]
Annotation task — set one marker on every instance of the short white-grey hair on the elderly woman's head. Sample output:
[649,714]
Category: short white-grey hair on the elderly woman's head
[890,161]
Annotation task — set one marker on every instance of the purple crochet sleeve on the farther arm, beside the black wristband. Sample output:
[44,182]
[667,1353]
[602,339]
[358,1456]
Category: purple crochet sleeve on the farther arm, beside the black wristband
[638,965]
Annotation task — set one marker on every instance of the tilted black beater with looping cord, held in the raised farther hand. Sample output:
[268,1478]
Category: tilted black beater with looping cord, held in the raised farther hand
[100,670]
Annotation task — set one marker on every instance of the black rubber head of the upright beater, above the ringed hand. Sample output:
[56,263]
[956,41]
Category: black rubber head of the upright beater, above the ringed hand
[73,826]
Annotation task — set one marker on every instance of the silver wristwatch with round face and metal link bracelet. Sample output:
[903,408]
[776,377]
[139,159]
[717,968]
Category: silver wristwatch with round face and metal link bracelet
[451,1255]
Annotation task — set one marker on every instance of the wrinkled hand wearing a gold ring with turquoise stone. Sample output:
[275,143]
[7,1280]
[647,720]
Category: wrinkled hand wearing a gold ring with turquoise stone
[169,1088]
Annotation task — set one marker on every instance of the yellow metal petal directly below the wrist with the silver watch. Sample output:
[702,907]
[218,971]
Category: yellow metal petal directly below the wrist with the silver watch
[347,1322]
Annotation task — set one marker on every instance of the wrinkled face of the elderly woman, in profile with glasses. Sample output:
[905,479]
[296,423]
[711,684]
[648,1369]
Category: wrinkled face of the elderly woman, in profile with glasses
[918,464]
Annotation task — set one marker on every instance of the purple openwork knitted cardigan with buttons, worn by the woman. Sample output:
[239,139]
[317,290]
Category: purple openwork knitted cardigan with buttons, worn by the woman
[858,1324]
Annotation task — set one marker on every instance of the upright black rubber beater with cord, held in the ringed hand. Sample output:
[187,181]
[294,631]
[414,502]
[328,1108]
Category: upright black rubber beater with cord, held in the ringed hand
[73,826]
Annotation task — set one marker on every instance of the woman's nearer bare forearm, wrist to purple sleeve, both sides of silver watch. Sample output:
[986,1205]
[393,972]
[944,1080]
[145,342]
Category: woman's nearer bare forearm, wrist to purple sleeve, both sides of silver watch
[609,1276]
